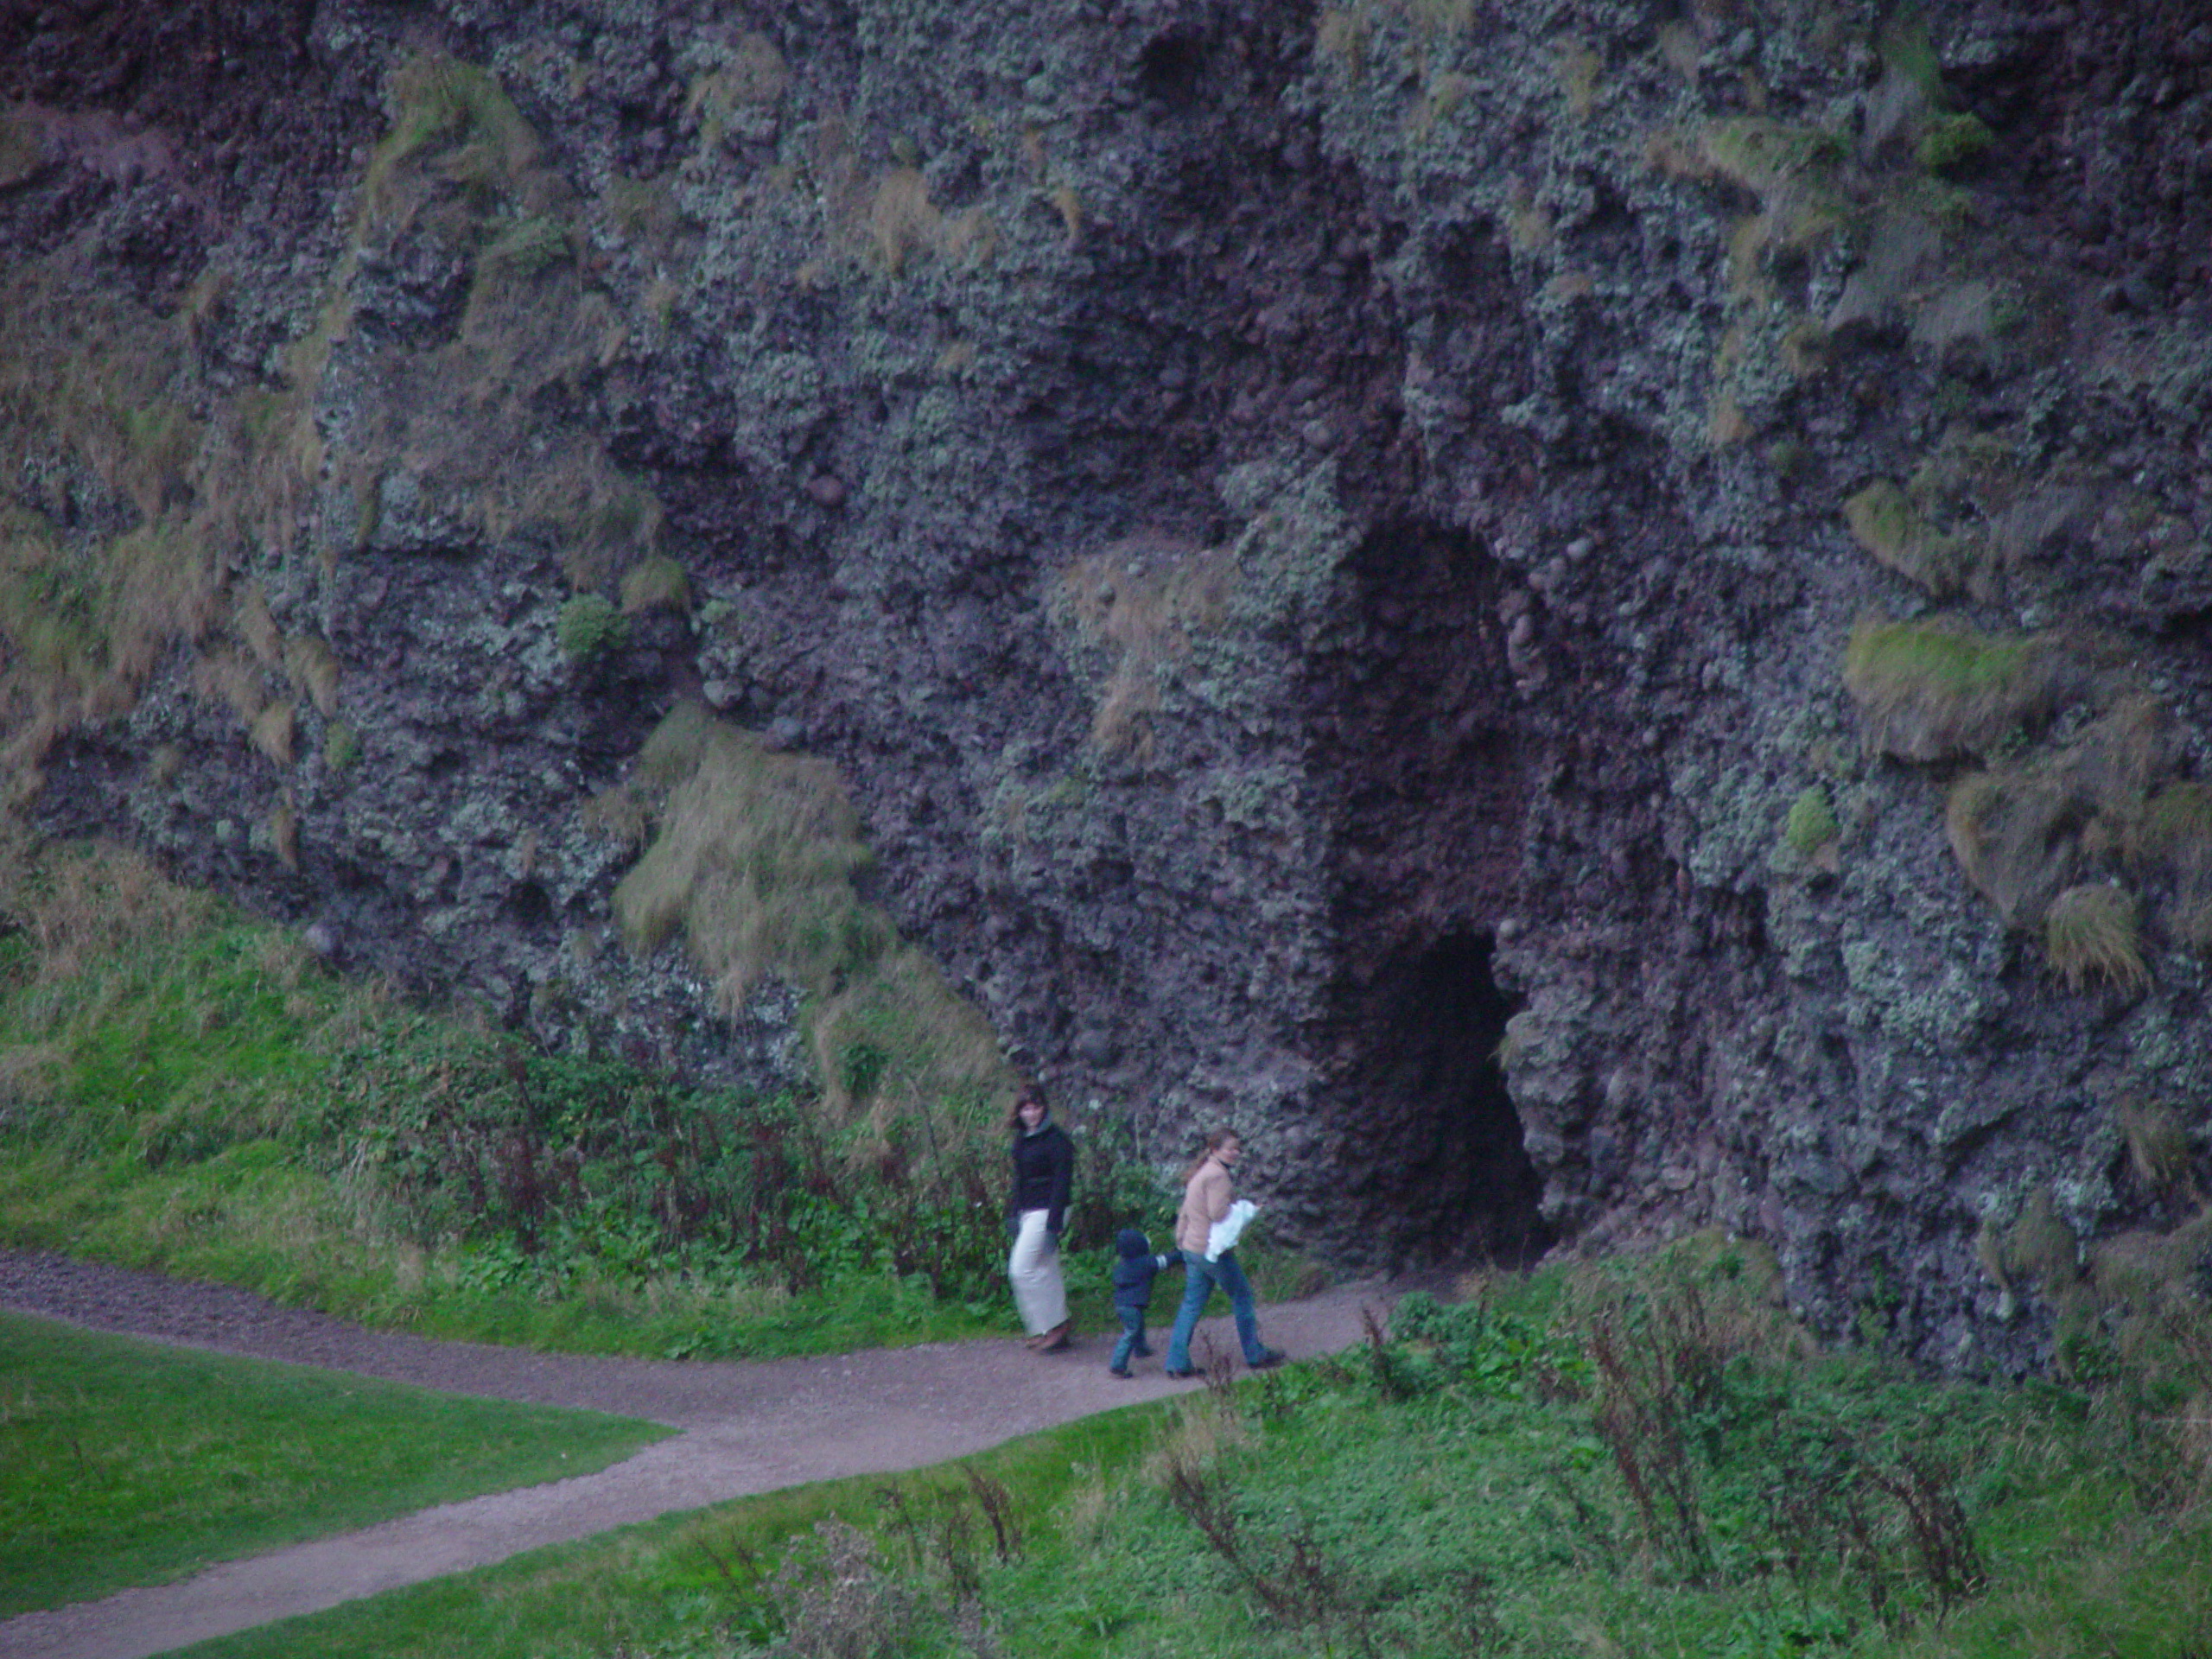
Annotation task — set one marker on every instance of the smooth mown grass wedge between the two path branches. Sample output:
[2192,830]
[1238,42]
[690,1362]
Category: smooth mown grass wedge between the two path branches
[134,1463]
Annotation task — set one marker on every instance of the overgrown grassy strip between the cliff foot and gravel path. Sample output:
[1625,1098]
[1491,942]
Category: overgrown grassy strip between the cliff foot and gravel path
[189,1092]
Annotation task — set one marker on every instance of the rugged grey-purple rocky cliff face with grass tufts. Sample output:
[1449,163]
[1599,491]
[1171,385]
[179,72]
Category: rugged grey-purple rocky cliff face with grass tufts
[1585,618]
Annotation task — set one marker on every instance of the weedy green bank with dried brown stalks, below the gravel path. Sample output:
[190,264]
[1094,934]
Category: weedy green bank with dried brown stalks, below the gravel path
[1640,1459]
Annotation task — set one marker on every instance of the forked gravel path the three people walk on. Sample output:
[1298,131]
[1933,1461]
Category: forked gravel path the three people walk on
[749,1428]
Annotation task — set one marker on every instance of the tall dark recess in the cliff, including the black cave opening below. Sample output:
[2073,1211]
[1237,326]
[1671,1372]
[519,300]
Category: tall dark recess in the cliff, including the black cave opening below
[1426,740]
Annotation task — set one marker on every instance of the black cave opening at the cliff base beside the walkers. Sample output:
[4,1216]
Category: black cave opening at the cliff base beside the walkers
[1468,1185]
